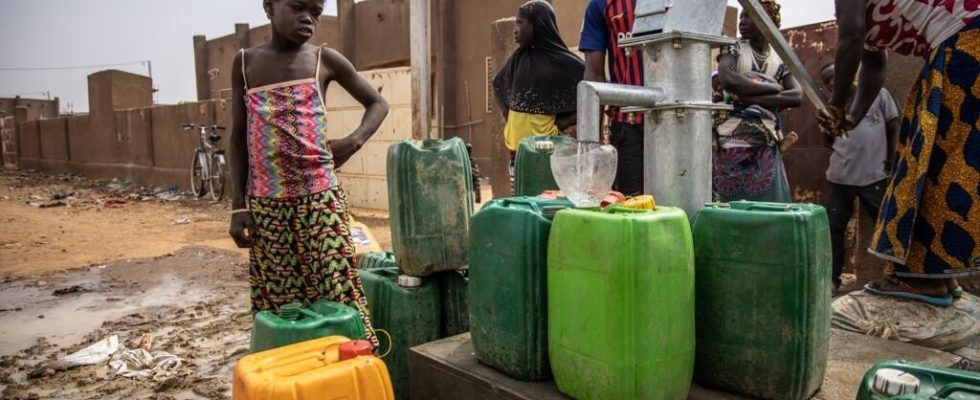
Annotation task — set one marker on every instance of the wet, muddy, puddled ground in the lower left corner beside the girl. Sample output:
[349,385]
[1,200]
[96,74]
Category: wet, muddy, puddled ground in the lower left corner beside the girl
[193,304]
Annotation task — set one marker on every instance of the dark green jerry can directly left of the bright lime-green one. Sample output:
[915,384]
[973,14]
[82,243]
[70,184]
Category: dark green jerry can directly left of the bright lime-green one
[508,285]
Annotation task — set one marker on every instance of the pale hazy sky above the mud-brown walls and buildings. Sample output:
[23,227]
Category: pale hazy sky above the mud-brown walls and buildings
[67,33]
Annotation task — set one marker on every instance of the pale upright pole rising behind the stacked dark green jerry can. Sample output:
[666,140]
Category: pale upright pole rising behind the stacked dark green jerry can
[421,68]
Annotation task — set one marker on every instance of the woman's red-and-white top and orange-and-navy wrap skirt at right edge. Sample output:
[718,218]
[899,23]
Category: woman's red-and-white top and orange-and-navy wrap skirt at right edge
[929,223]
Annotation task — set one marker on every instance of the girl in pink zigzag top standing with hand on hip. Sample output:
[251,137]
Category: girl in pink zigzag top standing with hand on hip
[288,206]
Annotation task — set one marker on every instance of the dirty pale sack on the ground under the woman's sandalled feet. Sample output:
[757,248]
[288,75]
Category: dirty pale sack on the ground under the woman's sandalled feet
[909,321]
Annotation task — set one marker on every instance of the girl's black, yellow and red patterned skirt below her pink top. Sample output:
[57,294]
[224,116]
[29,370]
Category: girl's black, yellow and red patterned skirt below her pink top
[304,252]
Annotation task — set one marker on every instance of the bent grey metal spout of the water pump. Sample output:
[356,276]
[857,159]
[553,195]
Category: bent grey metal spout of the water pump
[593,95]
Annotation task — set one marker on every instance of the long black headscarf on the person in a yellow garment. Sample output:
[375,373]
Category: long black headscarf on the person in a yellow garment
[540,77]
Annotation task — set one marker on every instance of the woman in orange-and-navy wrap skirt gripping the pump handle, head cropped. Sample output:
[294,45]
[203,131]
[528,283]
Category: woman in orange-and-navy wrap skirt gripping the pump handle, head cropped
[929,224]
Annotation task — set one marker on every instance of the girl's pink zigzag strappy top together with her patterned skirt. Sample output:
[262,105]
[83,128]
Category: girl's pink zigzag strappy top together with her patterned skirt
[303,249]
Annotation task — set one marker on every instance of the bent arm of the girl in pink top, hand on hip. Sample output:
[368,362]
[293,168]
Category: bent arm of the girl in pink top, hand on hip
[375,106]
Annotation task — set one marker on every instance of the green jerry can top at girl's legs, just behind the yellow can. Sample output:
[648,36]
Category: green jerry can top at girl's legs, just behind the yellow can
[295,323]
